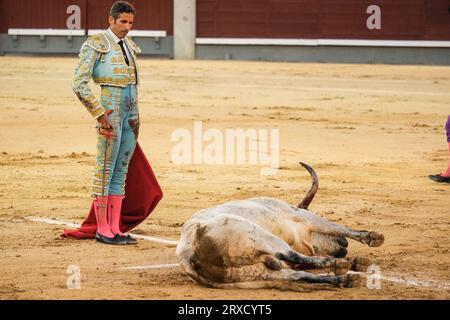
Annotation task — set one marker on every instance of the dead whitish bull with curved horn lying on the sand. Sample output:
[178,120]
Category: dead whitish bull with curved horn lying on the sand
[267,243]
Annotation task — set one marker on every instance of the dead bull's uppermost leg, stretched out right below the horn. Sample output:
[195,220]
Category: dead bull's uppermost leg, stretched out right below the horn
[321,225]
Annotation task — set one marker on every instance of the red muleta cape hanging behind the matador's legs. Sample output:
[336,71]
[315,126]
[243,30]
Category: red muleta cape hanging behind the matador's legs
[142,192]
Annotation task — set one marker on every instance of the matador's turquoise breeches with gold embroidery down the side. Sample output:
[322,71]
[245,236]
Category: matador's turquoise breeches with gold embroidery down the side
[114,153]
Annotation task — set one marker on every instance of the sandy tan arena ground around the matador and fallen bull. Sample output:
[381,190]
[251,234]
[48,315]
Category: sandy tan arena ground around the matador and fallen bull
[372,132]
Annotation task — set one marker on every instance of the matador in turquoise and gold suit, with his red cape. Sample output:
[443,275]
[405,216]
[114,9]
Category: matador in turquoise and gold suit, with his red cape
[124,188]
